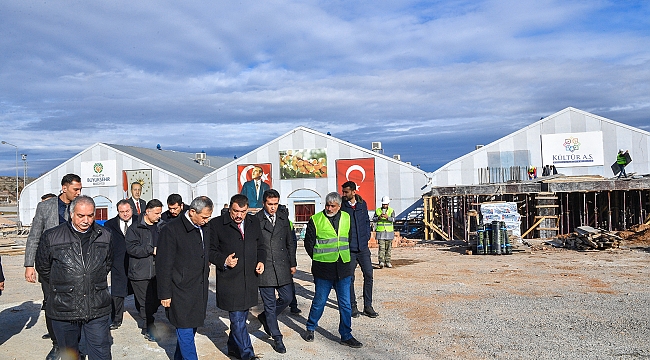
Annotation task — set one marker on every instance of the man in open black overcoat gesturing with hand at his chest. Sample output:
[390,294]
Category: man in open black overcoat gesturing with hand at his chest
[237,250]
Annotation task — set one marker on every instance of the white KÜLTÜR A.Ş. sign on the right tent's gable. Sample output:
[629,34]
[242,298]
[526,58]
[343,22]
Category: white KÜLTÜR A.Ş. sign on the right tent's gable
[573,149]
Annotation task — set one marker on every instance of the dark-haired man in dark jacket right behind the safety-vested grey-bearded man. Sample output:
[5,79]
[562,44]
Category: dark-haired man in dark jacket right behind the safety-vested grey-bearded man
[357,208]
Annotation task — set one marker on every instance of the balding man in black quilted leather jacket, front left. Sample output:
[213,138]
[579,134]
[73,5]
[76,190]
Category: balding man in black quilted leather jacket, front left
[75,258]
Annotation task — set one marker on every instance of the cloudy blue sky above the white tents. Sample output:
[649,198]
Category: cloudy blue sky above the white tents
[429,79]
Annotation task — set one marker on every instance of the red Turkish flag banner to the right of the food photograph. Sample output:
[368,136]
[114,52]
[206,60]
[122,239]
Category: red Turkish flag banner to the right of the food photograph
[362,172]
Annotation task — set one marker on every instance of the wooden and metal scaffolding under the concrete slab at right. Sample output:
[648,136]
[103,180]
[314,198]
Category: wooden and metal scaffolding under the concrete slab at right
[548,206]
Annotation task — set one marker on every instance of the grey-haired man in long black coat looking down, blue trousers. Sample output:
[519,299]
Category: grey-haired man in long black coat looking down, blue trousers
[182,269]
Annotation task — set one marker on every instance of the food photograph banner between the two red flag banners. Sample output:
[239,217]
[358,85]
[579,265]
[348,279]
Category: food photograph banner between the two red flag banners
[303,164]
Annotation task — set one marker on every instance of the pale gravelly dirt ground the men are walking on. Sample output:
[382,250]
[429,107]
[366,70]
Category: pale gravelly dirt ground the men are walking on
[429,305]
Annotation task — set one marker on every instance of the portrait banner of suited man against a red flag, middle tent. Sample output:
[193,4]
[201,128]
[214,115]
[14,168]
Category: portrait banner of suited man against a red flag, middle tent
[253,180]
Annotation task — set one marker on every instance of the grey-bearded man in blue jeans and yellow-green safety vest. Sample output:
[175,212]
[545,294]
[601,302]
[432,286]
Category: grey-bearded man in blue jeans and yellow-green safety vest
[326,242]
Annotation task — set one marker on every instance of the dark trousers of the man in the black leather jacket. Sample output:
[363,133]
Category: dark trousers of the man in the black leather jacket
[97,336]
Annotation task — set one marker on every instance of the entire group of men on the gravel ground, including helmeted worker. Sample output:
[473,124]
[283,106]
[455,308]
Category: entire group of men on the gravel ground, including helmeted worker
[164,259]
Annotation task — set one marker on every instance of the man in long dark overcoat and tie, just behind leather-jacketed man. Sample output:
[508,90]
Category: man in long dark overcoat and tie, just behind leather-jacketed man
[119,281]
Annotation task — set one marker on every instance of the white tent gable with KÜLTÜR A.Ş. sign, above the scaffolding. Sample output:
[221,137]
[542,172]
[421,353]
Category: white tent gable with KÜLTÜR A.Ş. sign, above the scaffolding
[574,141]
